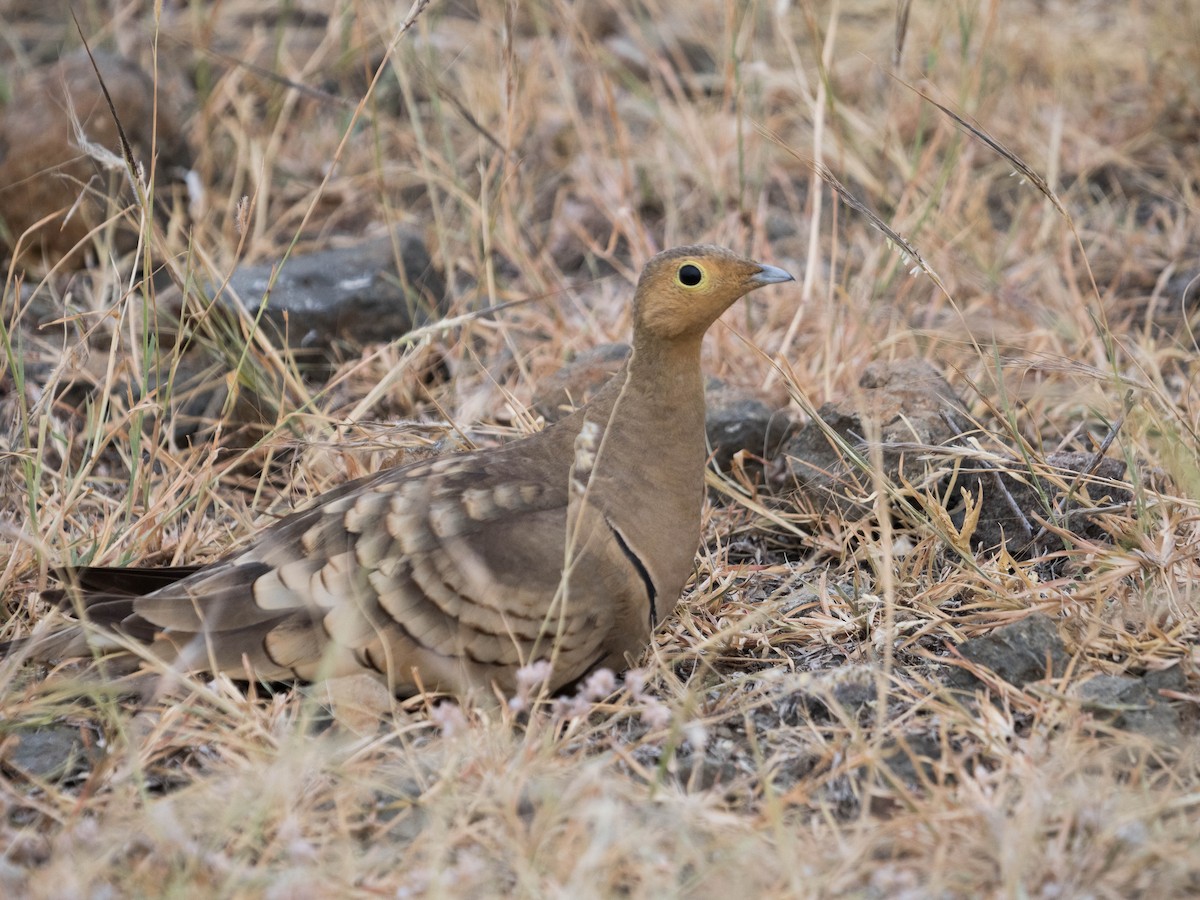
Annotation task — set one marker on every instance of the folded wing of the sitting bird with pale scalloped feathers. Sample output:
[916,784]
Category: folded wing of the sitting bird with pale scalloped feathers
[451,568]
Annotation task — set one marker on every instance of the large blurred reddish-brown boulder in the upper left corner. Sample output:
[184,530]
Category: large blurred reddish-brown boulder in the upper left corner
[45,173]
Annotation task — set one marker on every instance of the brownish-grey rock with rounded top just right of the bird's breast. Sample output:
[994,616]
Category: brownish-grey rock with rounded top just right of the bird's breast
[908,403]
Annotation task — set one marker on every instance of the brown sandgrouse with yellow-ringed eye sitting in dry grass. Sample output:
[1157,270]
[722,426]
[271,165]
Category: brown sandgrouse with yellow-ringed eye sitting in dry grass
[563,548]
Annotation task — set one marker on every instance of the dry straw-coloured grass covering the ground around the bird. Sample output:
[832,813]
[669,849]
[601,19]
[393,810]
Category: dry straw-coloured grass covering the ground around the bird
[547,149]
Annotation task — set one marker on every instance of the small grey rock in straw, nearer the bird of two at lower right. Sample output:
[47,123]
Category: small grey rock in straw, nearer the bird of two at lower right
[1023,652]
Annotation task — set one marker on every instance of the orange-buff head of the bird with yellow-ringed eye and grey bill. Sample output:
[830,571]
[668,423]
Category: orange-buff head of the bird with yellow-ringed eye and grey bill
[683,291]
